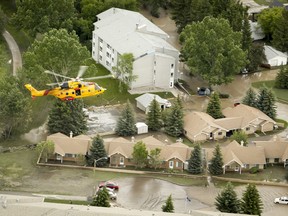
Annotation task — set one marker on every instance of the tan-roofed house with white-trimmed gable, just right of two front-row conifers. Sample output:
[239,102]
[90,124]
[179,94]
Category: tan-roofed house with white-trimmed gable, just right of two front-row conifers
[239,158]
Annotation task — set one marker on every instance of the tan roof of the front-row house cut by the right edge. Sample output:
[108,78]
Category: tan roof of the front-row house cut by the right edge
[274,149]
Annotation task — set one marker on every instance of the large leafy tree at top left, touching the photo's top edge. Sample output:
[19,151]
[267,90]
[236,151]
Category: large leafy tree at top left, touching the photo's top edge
[40,16]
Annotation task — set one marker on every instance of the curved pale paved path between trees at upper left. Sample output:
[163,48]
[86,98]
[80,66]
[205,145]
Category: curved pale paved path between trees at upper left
[15,51]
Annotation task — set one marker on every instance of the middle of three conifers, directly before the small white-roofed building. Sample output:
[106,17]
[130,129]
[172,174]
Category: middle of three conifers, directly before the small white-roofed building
[154,116]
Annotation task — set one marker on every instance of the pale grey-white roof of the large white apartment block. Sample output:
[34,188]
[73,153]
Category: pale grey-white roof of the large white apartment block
[129,31]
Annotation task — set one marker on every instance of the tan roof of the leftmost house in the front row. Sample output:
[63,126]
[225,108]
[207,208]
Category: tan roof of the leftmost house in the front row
[66,145]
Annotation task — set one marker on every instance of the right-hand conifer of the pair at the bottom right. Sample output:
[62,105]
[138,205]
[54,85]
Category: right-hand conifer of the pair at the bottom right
[251,201]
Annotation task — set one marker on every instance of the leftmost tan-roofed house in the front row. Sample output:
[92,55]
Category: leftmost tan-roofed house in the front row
[68,148]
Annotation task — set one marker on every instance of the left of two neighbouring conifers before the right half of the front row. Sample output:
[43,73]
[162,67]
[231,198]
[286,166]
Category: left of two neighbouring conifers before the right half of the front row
[195,165]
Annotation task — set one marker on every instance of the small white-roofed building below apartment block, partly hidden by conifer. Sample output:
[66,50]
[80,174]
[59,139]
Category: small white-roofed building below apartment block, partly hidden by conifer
[143,102]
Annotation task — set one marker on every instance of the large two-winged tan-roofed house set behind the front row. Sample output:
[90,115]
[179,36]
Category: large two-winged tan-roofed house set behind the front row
[199,126]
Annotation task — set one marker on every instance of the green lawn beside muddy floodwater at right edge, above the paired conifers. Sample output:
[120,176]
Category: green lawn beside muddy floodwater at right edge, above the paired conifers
[281,94]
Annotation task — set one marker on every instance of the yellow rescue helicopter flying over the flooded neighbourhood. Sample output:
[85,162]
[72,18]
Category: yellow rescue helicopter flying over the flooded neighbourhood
[72,89]
